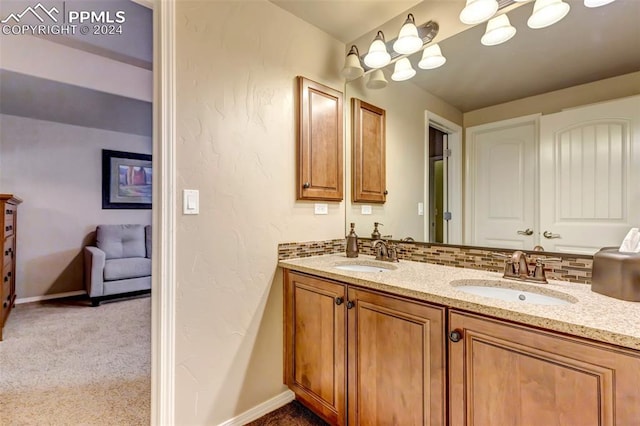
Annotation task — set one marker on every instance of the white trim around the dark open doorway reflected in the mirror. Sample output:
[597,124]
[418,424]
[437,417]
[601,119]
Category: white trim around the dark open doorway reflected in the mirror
[454,174]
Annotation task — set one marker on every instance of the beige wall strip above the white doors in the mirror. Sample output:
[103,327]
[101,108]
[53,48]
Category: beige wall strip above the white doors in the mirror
[548,103]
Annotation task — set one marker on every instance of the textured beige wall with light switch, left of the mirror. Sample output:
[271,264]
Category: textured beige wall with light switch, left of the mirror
[236,69]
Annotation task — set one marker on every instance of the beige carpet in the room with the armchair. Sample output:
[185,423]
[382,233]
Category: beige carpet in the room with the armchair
[66,363]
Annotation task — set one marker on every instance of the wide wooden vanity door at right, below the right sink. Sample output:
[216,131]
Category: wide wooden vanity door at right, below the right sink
[505,374]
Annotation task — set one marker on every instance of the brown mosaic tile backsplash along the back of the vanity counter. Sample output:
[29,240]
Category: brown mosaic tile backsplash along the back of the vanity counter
[573,268]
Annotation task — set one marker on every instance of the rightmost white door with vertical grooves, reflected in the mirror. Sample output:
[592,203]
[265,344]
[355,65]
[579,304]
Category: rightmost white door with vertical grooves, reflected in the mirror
[590,176]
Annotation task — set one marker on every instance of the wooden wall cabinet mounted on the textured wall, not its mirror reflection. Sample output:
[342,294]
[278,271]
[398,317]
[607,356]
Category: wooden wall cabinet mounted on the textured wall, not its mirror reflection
[320,149]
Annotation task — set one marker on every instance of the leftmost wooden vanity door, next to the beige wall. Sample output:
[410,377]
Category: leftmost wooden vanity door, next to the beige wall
[315,336]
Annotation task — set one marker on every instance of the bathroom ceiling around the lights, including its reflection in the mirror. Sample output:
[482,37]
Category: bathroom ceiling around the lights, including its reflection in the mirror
[589,44]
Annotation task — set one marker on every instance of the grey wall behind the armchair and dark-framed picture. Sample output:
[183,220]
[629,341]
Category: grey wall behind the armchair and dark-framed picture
[56,169]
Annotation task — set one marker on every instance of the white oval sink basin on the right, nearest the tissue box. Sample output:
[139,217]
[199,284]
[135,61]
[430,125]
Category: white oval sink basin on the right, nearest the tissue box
[513,292]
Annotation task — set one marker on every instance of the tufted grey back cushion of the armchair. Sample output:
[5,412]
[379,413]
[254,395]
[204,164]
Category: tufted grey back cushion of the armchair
[118,241]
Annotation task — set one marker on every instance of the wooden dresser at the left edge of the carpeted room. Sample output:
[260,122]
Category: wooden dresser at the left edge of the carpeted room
[8,220]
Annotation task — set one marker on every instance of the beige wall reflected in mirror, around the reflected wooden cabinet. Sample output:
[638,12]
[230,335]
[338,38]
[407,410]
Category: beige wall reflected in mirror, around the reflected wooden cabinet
[404,104]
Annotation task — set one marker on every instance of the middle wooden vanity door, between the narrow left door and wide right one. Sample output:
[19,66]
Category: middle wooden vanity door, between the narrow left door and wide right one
[396,361]
